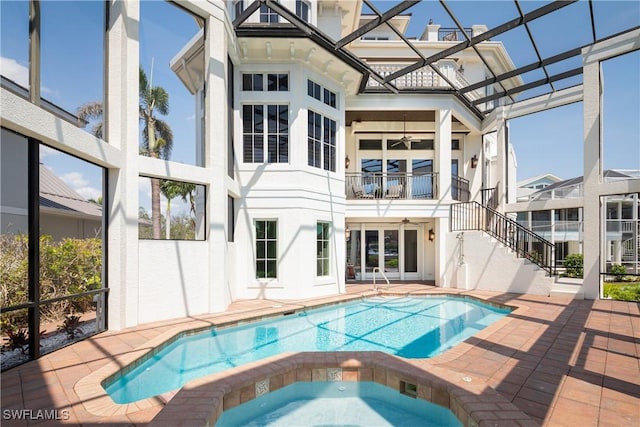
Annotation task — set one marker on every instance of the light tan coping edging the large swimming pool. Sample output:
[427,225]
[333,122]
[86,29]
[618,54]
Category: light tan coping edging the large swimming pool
[97,402]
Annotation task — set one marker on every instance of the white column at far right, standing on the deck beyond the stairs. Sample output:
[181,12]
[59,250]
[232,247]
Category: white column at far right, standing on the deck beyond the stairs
[592,172]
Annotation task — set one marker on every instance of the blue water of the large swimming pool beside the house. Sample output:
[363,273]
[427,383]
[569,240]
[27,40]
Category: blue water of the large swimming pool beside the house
[411,327]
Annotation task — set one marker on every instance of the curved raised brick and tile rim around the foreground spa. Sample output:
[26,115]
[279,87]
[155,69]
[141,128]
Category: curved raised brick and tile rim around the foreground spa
[202,401]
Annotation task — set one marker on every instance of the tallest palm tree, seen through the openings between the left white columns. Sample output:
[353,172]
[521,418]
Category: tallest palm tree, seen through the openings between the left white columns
[157,137]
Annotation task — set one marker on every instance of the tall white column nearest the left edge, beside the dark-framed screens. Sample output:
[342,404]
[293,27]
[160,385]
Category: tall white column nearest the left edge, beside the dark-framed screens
[122,132]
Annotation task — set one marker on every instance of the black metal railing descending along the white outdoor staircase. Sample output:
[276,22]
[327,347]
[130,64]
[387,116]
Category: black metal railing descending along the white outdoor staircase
[524,242]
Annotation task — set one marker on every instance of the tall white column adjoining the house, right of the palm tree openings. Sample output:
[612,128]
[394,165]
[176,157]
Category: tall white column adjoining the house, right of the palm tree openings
[215,141]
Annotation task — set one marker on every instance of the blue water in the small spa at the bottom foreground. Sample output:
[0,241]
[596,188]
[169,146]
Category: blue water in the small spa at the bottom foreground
[337,403]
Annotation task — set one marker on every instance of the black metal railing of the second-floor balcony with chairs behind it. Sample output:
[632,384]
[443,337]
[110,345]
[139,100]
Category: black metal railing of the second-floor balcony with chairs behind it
[401,186]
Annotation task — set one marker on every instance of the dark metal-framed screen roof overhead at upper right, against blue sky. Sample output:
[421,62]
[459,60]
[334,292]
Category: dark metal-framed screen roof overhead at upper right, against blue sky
[543,39]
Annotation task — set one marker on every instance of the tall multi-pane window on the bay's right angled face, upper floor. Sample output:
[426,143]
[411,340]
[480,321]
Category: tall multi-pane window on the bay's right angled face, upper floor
[321,142]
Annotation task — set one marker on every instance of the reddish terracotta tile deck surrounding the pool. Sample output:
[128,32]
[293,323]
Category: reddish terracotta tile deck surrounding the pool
[561,362]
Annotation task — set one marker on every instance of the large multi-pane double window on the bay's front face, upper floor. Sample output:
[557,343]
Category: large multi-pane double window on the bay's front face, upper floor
[275,136]
